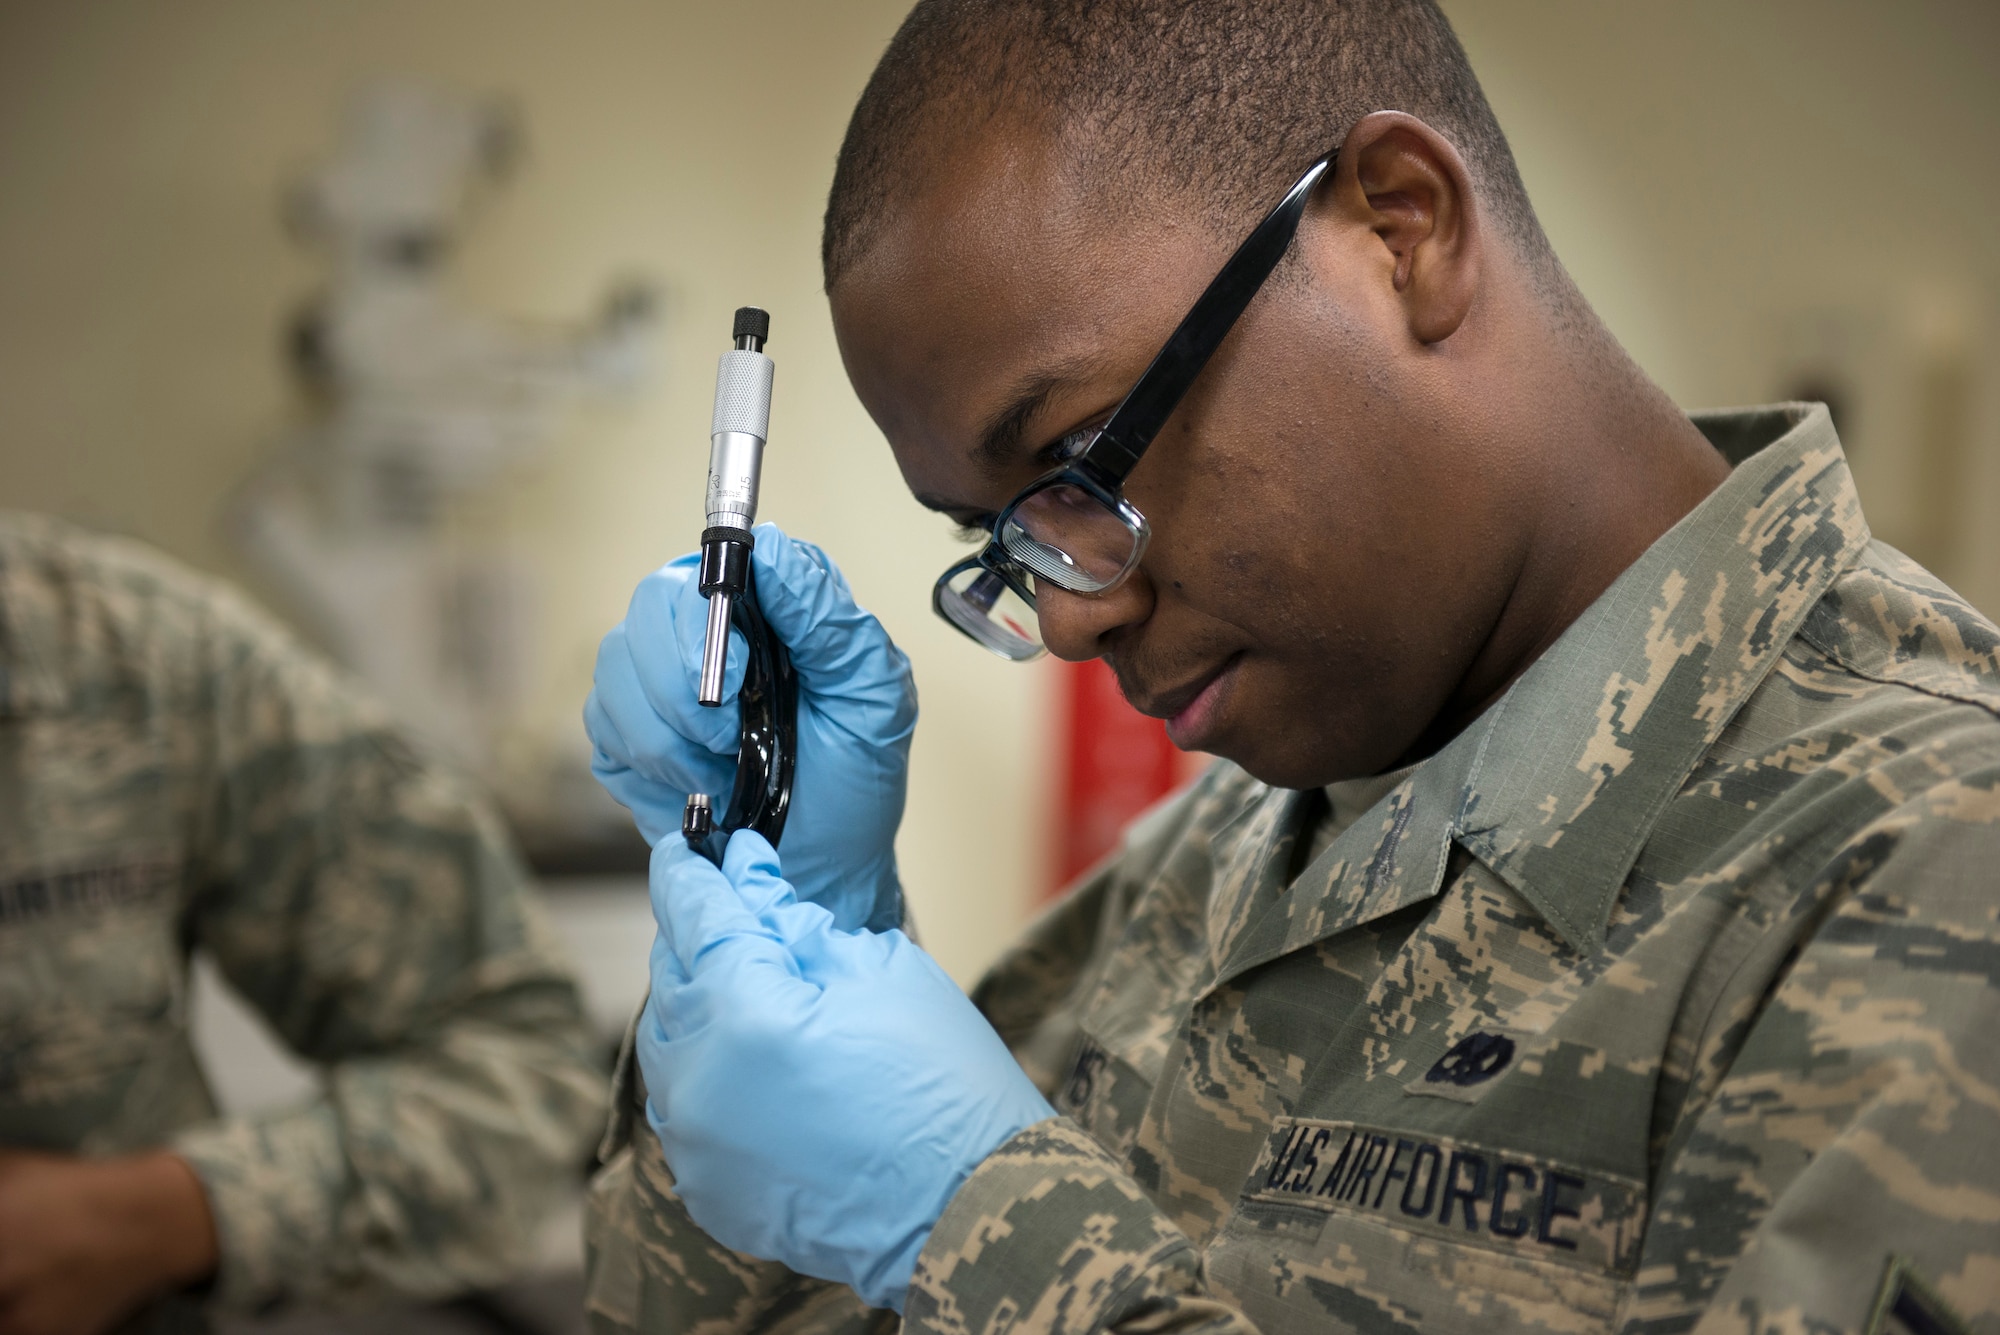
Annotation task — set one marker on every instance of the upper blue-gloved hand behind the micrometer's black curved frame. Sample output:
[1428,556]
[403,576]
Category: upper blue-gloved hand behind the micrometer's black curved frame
[857,710]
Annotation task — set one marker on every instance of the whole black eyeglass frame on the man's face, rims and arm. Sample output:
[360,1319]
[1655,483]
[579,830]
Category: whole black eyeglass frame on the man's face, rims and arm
[1111,457]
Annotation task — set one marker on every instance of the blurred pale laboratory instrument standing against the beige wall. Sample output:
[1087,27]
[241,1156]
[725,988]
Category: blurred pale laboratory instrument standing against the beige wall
[415,405]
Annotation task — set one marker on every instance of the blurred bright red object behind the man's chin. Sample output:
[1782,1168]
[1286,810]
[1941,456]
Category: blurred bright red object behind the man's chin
[1115,764]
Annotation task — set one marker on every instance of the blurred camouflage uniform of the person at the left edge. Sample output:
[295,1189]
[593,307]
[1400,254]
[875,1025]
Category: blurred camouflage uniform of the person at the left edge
[179,774]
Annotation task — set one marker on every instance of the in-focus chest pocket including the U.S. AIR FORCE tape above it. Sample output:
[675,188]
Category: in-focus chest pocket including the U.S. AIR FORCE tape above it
[1381,1230]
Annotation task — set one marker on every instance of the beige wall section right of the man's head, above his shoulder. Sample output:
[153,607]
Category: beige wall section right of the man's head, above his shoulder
[1759,195]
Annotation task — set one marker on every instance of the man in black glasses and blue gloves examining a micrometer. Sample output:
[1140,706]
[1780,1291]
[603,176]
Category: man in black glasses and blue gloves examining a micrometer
[1593,922]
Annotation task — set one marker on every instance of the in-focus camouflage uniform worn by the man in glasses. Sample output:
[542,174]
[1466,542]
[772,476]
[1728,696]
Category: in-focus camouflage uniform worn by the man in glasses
[1665,996]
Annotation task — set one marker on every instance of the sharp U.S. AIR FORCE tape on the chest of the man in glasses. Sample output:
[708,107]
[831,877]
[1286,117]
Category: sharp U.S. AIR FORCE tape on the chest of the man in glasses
[1455,1192]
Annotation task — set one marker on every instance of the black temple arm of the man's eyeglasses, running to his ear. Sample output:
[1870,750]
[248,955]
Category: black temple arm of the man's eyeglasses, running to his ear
[1173,373]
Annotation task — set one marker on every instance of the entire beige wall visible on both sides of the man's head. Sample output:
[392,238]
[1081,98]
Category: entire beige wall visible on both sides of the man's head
[1743,189]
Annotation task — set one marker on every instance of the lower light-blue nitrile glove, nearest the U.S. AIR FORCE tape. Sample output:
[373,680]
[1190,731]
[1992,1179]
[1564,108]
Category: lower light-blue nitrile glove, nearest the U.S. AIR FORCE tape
[819,1094]
